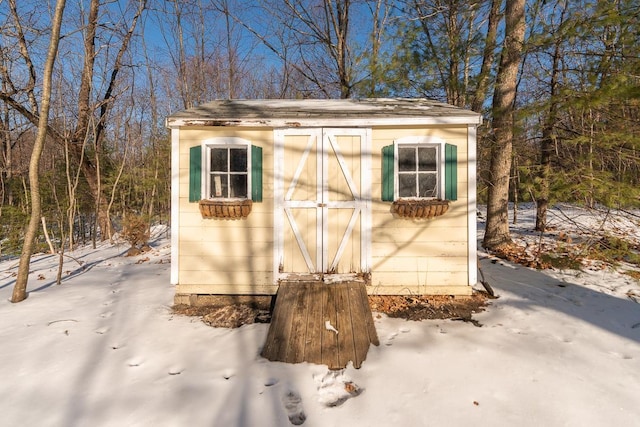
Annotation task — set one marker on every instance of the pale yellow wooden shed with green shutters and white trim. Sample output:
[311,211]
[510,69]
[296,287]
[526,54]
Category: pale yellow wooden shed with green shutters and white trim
[379,191]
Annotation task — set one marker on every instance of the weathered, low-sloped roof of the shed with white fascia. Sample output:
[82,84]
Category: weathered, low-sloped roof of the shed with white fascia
[323,112]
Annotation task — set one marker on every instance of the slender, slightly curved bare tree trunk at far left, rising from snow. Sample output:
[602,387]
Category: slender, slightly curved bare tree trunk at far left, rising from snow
[20,287]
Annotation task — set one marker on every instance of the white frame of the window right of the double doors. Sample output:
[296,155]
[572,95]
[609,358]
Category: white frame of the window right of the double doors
[420,141]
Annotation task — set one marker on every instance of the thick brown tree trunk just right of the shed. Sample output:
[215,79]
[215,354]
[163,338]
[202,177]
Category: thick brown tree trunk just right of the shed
[497,228]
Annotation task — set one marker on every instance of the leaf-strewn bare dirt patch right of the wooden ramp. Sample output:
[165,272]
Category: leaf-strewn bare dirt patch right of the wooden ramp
[422,307]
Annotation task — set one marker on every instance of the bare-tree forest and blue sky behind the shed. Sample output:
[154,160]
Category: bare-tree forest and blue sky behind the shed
[122,66]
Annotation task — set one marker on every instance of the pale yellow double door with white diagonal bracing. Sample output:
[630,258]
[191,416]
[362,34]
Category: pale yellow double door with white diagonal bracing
[322,203]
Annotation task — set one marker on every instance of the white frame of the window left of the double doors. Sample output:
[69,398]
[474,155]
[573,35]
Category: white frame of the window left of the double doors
[228,143]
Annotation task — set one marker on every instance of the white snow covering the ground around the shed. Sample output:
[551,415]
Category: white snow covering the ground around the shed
[103,349]
